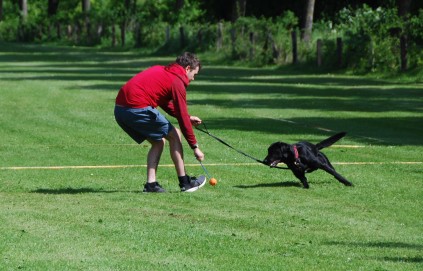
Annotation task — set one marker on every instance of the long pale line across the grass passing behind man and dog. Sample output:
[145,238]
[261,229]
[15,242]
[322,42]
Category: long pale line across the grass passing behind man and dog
[195,165]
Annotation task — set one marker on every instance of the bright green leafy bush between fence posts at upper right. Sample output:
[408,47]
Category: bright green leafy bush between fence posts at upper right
[369,45]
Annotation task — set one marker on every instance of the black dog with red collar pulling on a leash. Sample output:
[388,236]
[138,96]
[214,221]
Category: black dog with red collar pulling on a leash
[304,157]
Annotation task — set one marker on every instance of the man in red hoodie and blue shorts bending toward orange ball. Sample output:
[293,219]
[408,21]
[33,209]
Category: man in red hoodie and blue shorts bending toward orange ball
[136,113]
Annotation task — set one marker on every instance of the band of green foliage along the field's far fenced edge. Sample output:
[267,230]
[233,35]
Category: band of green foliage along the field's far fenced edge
[370,35]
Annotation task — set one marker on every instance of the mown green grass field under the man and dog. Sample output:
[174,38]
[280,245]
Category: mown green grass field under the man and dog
[56,110]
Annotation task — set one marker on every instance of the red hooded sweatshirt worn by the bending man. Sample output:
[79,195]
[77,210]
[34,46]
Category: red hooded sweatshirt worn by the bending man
[163,86]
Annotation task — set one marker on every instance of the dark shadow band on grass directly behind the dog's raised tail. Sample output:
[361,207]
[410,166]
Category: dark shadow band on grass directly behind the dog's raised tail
[380,131]
